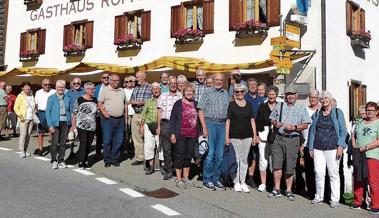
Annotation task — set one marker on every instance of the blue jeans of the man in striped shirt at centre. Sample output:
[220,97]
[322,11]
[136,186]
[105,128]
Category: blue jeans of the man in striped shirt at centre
[216,142]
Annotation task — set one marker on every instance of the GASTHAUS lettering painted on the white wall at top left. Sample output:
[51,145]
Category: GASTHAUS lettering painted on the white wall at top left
[69,8]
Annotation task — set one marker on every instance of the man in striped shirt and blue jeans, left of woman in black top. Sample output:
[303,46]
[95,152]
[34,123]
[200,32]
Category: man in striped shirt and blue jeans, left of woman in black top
[213,108]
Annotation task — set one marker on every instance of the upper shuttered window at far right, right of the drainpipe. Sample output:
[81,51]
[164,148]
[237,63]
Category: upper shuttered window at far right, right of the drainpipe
[355,19]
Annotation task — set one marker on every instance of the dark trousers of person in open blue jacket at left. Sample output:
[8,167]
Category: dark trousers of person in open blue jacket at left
[58,145]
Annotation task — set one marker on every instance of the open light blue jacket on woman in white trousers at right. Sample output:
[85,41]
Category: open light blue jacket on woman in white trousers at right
[339,125]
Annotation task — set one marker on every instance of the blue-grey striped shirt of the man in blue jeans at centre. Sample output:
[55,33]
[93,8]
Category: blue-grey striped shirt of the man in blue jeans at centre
[214,103]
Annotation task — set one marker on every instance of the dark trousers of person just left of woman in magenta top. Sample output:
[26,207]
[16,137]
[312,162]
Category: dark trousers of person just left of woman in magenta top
[165,143]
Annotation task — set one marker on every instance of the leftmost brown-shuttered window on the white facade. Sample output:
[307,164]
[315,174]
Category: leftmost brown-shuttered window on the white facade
[32,42]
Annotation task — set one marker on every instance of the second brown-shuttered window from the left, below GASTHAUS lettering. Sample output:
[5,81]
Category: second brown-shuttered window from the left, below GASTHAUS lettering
[78,34]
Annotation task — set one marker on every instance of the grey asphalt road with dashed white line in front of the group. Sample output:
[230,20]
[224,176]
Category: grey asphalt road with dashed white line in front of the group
[30,189]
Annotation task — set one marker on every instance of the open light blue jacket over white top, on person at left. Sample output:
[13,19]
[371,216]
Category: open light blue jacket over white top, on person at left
[53,110]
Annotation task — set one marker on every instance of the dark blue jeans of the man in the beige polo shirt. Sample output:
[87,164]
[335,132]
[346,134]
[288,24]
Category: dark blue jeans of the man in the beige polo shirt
[113,133]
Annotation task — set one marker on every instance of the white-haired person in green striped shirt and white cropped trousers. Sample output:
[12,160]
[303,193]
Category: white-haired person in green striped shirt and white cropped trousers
[149,129]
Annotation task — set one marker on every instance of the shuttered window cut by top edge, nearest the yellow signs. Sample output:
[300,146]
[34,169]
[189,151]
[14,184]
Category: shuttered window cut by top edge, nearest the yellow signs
[264,11]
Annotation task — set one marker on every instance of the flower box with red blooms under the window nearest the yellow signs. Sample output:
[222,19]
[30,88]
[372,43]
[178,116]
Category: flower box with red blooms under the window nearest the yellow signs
[250,28]
